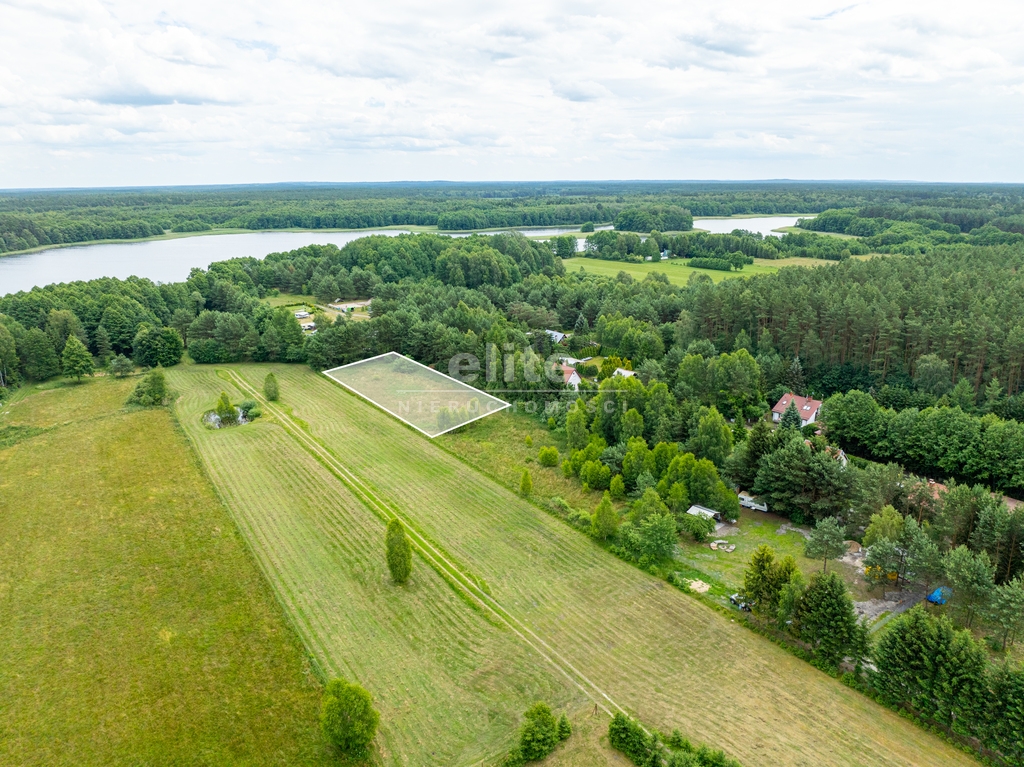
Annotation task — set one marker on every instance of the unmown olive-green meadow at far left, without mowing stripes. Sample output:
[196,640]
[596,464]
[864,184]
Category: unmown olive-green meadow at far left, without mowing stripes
[137,628]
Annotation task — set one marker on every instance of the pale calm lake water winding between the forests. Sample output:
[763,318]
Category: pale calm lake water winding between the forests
[172,261]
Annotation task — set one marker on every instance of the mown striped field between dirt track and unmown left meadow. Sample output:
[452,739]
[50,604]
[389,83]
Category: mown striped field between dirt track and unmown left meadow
[450,686]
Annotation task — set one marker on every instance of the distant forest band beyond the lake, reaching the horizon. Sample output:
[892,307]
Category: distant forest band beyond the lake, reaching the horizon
[30,220]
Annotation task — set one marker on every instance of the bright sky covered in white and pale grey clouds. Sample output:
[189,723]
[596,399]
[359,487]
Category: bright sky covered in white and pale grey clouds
[121,93]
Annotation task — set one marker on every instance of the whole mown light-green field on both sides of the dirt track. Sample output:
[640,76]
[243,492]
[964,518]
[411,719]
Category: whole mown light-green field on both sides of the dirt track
[649,648]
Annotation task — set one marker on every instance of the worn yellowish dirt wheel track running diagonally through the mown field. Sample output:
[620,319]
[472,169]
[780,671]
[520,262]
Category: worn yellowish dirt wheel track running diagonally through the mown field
[451,573]
